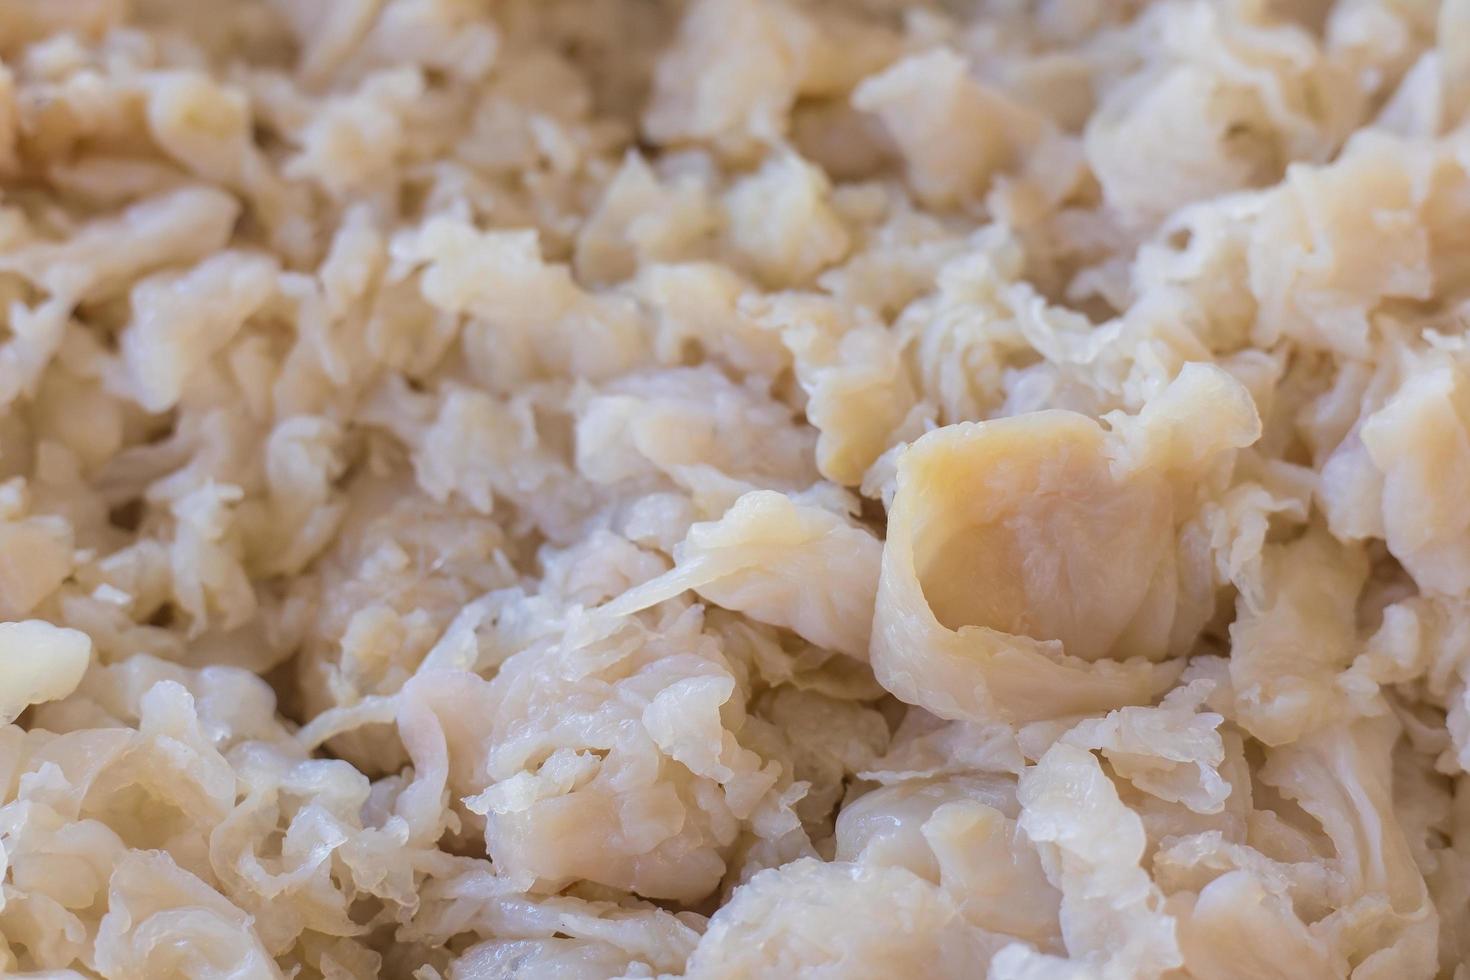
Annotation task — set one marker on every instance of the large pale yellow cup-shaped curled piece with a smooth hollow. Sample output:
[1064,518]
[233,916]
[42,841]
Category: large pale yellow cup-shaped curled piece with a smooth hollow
[1031,568]
